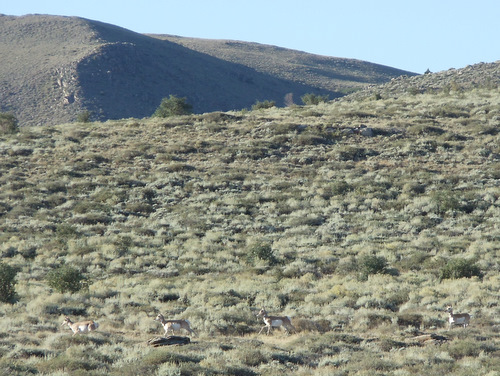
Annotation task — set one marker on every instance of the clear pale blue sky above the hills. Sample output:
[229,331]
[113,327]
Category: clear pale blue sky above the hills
[405,34]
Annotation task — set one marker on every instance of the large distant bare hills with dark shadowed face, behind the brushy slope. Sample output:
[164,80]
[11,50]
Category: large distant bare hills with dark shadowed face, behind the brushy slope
[55,68]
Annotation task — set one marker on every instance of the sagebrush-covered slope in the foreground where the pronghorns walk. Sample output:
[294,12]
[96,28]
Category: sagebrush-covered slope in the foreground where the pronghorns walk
[362,236]
